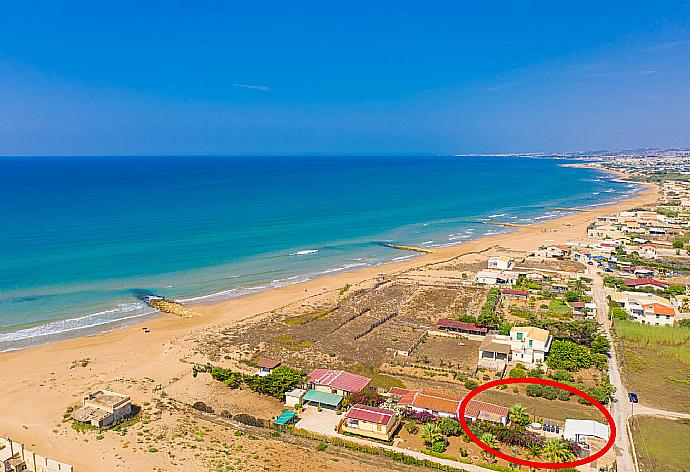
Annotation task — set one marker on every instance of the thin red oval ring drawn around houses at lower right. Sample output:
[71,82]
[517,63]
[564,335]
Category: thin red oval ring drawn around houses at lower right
[533,380]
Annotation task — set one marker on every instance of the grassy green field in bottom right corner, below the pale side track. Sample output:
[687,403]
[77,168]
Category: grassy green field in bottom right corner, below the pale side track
[661,444]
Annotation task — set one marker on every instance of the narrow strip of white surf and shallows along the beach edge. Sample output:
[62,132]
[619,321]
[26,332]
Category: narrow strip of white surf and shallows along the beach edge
[412,254]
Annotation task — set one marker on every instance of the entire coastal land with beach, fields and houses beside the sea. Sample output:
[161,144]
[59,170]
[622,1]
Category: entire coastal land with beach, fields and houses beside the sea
[386,367]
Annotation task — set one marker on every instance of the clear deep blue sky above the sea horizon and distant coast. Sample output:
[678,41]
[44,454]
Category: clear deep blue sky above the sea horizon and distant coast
[342,77]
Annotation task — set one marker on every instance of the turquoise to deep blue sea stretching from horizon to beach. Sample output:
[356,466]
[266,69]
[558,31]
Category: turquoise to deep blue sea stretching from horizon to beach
[81,237]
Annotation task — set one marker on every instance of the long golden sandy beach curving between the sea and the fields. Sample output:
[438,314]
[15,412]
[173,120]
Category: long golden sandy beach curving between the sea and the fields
[39,383]
